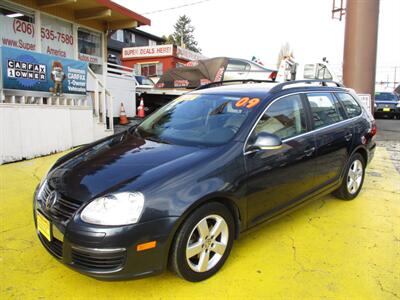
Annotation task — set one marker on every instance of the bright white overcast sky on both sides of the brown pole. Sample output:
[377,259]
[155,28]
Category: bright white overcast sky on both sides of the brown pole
[260,27]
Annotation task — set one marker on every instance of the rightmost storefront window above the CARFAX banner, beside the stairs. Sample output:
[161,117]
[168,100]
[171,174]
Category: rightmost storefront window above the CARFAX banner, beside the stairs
[89,47]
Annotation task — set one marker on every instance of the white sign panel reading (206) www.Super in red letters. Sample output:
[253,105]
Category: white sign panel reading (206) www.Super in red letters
[17,33]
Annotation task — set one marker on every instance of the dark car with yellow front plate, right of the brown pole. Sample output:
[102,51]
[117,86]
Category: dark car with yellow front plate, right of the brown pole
[387,104]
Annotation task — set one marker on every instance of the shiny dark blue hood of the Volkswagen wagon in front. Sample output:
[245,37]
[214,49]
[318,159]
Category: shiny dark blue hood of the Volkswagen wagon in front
[117,163]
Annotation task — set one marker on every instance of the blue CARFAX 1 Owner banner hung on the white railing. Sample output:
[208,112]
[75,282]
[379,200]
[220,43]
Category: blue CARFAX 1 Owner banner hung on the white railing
[25,70]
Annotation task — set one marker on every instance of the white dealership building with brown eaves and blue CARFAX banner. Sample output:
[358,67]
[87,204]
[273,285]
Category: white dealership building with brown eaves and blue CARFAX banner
[55,89]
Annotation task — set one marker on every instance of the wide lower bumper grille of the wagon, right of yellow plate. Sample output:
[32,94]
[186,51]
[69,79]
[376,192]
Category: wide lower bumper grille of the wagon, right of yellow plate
[107,261]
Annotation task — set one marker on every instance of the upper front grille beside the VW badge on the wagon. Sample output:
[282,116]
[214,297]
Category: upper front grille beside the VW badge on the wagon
[64,208]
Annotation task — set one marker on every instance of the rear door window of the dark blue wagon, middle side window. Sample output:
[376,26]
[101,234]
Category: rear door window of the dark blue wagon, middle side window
[325,109]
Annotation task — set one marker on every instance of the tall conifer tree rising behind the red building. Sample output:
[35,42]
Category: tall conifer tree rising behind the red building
[183,35]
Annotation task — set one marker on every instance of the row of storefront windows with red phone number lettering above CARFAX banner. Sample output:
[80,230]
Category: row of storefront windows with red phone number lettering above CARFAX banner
[56,36]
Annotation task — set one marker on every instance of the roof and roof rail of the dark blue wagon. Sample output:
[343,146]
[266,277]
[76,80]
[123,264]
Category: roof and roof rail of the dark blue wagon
[261,90]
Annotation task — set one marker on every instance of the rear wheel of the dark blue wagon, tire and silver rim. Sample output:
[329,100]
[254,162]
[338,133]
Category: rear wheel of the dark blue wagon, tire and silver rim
[353,179]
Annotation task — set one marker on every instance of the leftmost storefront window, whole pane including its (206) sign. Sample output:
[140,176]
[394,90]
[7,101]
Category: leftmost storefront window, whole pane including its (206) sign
[17,27]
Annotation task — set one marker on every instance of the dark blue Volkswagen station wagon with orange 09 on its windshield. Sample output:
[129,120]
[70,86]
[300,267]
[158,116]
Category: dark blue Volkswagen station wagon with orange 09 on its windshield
[177,189]
